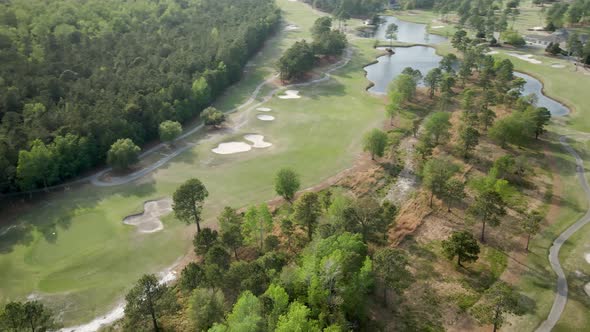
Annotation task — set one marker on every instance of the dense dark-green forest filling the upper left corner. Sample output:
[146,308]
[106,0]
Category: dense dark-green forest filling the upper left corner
[75,78]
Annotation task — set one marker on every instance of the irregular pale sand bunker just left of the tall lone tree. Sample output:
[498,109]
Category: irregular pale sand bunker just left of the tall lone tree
[149,220]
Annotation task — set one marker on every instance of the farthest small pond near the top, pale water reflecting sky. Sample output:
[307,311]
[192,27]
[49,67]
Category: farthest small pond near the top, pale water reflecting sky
[408,32]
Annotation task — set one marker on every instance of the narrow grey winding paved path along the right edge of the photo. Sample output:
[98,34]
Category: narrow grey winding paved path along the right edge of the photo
[562,290]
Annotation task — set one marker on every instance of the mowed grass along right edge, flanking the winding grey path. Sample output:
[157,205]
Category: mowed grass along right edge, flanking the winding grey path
[571,88]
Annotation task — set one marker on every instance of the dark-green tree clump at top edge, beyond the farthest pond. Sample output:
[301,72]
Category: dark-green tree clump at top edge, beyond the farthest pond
[349,8]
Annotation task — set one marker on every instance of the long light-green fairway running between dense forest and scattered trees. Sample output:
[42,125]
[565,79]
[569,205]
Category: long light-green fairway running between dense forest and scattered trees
[72,249]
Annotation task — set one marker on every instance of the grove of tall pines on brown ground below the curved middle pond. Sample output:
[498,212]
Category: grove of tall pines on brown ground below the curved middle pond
[479,84]
